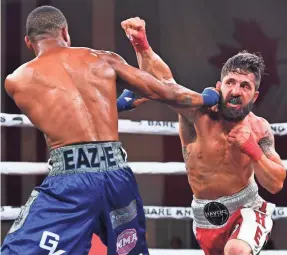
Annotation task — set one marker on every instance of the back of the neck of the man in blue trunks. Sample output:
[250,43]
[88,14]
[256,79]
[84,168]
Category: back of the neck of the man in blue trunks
[46,45]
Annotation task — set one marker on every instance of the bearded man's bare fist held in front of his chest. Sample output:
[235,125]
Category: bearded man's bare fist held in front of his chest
[239,135]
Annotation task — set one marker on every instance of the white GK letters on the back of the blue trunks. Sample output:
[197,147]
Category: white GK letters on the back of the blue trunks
[49,242]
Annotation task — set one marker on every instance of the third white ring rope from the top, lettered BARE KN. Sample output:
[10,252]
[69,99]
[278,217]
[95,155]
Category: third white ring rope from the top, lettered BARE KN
[151,212]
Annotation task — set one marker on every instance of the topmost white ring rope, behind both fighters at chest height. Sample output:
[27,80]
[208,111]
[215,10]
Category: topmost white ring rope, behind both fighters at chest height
[128,126]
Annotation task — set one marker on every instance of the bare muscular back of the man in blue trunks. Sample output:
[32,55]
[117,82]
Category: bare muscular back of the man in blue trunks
[70,95]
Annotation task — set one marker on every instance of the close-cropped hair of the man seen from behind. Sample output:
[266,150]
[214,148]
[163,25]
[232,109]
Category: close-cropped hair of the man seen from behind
[45,20]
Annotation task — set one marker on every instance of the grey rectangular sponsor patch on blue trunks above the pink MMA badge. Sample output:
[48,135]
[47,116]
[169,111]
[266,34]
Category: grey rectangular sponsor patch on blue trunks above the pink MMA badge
[123,215]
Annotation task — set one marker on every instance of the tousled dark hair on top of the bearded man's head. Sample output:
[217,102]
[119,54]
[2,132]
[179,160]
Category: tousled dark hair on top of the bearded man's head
[245,62]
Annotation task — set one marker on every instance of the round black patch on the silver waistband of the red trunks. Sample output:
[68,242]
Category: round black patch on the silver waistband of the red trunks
[216,213]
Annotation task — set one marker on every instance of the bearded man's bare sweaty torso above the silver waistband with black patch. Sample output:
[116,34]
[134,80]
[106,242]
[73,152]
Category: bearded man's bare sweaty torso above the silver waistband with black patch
[215,168]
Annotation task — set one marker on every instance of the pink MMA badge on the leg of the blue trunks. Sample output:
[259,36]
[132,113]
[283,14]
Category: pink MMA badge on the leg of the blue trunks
[126,241]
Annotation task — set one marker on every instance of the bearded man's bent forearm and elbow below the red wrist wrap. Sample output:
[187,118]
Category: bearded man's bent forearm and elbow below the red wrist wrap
[270,174]
